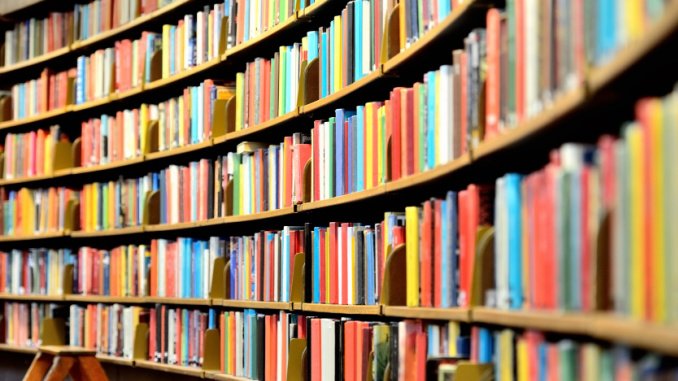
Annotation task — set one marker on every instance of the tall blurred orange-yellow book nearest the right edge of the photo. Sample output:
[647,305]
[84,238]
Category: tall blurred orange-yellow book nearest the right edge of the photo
[659,205]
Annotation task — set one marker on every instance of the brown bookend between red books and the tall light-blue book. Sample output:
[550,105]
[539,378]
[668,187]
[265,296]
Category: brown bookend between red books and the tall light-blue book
[483,267]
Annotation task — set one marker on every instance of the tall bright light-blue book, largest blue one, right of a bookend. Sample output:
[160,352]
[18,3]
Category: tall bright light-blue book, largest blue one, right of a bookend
[513,204]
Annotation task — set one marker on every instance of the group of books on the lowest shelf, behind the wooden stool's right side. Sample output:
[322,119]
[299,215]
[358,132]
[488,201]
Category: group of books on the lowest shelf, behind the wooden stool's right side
[108,329]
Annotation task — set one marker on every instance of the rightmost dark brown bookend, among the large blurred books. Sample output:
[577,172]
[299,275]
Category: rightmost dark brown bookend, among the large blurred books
[602,298]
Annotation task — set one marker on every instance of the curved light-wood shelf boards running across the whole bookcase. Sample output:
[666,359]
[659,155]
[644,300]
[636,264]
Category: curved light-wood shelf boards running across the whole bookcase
[579,102]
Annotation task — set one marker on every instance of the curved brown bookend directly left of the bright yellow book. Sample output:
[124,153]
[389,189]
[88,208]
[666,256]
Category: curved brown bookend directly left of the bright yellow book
[394,284]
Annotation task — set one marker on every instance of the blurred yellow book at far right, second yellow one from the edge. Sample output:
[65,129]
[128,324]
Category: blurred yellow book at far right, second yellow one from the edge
[634,139]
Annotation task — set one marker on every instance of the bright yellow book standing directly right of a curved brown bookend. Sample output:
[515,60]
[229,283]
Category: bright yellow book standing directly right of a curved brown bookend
[412,247]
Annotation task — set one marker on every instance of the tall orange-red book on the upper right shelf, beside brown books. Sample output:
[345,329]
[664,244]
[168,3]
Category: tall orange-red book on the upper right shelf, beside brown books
[492,97]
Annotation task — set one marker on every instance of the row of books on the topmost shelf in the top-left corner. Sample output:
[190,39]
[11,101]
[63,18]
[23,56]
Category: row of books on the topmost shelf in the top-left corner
[36,36]
